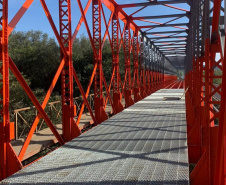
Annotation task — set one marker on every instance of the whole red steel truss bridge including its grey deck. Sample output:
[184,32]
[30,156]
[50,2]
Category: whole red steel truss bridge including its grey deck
[162,122]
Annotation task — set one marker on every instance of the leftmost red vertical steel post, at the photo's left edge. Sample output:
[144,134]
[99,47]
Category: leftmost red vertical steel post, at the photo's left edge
[9,162]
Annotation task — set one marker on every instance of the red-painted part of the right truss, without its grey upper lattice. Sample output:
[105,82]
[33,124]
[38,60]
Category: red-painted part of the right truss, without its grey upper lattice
[206,140]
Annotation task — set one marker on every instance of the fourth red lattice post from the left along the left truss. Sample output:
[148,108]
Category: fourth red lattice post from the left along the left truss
[117,96]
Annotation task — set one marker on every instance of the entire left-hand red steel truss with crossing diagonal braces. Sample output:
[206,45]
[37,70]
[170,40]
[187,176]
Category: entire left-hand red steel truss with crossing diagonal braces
[152,70]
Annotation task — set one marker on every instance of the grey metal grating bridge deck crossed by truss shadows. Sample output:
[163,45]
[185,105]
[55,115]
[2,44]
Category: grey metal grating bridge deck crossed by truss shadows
[144,144]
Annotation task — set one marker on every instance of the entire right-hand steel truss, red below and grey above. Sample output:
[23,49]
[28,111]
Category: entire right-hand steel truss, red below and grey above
[206,123]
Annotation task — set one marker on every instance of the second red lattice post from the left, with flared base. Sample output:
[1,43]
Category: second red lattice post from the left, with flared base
[70,128]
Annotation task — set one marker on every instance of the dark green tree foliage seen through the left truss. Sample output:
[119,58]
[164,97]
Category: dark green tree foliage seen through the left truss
[37,56]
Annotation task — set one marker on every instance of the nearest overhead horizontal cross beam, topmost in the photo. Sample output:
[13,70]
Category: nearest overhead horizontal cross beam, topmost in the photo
[152,3]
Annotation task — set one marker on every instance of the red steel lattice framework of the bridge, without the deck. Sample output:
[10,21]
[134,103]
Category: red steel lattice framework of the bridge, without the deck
[154,53]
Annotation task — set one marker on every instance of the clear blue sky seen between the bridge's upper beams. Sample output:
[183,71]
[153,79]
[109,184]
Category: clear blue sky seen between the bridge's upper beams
[35,18]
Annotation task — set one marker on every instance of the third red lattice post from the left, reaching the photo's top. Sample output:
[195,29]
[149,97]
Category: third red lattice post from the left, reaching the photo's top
[98,81]
